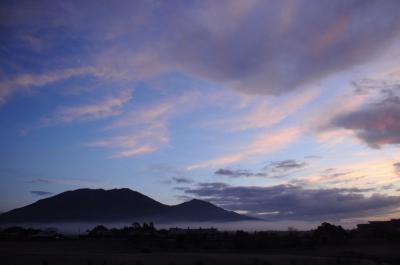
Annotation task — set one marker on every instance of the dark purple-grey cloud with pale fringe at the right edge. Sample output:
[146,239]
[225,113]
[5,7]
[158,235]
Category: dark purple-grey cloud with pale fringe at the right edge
[369,113]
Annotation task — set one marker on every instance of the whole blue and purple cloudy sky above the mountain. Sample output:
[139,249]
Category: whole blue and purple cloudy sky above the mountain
[284,110]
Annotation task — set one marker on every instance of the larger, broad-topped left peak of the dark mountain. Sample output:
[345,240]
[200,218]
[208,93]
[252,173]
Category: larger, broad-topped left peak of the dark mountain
[87,205]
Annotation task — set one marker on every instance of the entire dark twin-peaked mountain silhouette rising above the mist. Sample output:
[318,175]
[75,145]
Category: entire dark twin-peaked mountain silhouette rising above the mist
[116,205]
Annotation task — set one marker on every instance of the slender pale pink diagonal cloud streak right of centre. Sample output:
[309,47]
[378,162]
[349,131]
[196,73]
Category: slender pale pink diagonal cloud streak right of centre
[263,144]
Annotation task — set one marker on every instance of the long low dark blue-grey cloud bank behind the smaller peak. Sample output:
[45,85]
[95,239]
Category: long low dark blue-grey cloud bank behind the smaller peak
[283,202]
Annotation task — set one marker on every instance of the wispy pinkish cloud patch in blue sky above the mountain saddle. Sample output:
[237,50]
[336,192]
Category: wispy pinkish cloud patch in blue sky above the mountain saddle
[144,130]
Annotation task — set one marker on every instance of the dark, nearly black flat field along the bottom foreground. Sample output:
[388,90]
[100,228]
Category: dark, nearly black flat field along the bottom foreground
[120,252]
